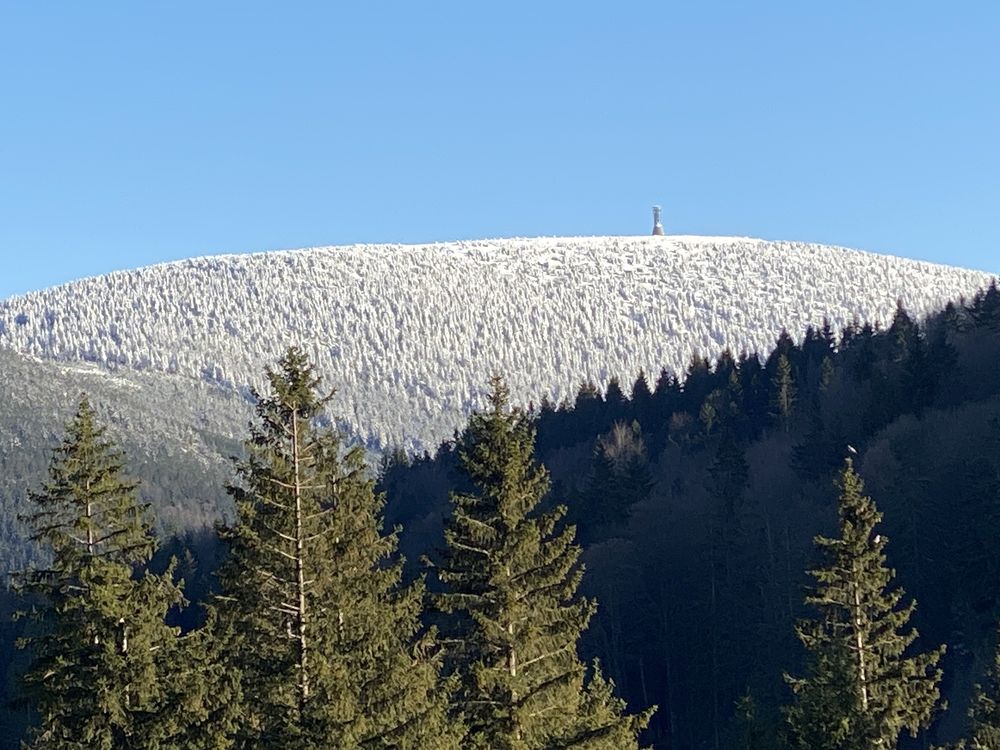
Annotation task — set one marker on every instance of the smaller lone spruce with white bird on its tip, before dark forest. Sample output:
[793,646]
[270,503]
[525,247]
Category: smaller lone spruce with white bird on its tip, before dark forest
[865,684]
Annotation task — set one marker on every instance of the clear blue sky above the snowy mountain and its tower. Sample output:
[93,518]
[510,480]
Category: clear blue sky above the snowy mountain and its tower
[132,133]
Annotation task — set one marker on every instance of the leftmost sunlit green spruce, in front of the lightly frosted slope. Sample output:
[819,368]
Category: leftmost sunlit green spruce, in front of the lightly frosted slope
[101,653]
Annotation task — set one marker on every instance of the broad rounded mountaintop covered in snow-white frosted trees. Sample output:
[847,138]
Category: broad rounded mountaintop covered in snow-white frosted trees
[408,334]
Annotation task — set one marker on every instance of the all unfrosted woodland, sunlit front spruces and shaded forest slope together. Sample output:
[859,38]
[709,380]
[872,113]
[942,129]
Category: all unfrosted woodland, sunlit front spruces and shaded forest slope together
[792,551]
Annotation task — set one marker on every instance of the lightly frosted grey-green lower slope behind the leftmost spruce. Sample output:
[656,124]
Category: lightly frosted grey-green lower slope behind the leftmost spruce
[178,434]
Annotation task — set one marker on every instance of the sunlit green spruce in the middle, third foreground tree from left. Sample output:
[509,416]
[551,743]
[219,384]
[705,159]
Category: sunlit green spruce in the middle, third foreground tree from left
[512,611]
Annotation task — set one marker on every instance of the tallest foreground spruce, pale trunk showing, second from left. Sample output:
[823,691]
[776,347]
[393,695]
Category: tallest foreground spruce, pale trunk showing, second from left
[325,639]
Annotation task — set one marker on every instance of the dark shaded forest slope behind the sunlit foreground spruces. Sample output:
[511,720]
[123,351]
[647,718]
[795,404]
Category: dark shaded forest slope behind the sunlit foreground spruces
[697,496]
